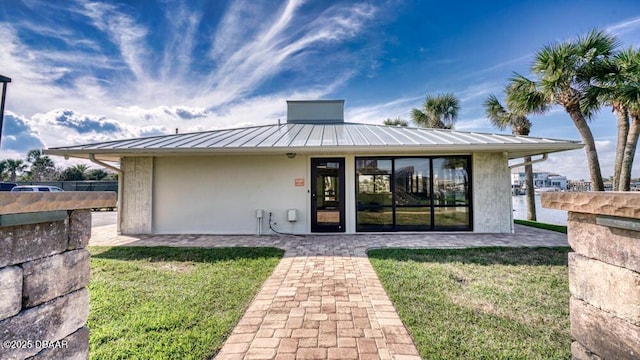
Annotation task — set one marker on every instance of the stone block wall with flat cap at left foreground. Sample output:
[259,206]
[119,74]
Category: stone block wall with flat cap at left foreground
[44,272]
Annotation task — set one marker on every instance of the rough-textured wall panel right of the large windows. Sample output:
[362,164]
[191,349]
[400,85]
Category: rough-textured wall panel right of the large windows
[491,193]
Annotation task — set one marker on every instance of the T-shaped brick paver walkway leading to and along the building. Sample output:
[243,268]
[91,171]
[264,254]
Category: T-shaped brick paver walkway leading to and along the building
[324,300]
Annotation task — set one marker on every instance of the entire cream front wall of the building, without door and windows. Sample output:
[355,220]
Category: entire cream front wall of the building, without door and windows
[220,194]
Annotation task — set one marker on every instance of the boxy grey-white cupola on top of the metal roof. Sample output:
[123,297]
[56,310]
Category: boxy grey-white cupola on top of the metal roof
[315,111]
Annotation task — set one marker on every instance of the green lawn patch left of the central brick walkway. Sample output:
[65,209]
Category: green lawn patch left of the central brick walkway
[170,303]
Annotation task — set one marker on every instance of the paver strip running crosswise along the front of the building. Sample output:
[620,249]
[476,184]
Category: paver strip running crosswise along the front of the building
[332,245]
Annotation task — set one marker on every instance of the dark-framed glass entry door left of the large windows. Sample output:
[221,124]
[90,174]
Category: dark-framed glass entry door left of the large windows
[327,195]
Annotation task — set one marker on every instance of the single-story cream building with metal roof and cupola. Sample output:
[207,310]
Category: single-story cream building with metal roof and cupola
[315,173]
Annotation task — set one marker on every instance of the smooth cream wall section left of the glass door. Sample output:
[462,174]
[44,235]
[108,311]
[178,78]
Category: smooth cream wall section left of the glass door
[220,195]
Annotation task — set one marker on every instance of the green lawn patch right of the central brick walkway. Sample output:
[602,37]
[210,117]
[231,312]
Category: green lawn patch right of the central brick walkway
[486,303]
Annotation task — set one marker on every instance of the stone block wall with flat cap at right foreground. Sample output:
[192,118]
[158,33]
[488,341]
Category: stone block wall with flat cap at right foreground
[604,272]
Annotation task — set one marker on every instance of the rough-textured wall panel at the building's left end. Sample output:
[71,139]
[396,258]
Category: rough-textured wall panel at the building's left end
[137,197]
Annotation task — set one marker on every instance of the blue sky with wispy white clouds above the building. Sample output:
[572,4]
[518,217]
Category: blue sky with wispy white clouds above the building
[86,71]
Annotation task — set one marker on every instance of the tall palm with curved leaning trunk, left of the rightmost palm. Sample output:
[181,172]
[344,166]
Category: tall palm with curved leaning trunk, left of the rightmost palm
[564,71]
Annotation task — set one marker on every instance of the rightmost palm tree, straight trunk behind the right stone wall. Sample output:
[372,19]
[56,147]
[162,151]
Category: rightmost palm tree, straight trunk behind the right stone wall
[618,84]
